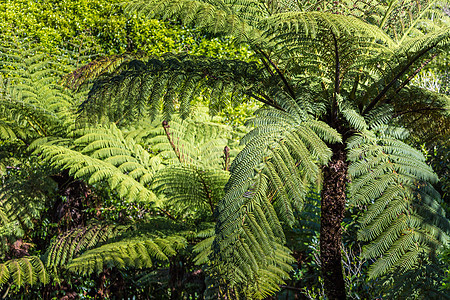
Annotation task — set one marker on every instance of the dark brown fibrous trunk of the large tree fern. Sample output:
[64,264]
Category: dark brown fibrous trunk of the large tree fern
[332,214]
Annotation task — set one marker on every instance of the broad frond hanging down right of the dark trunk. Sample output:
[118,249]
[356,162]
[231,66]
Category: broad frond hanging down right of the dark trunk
[404,220]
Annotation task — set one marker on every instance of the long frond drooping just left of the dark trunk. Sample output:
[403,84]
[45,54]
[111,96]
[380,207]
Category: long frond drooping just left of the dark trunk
[271,174]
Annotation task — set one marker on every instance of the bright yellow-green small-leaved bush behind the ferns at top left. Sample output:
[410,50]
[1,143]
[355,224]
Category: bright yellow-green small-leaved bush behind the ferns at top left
[104,29]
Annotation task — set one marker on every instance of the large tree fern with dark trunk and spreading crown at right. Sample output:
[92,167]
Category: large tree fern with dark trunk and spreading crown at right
[333,77]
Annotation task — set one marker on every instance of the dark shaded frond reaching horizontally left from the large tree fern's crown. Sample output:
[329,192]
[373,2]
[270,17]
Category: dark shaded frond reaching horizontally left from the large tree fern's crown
[142,87]
